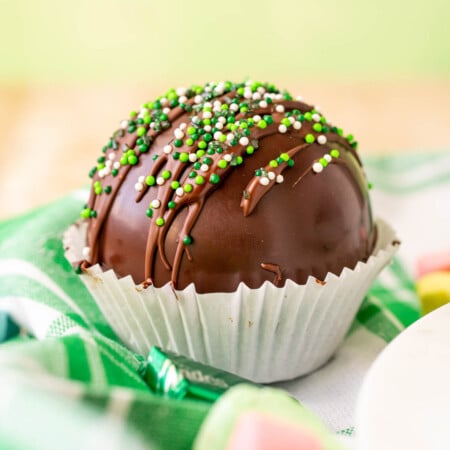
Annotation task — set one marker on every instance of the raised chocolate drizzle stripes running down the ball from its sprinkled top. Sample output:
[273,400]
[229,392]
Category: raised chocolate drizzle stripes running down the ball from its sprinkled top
[200,173]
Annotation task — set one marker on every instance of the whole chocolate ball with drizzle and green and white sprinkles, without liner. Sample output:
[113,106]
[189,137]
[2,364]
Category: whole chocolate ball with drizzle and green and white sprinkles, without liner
[224,184]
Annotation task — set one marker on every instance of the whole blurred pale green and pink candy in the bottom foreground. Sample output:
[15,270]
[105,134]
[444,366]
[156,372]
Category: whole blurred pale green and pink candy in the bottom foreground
[239,415]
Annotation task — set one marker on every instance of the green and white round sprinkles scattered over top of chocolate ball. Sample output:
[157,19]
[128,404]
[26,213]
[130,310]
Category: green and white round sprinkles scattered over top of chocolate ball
[222,117]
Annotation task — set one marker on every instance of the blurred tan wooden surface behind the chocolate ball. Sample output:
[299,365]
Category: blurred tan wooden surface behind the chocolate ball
[52,136]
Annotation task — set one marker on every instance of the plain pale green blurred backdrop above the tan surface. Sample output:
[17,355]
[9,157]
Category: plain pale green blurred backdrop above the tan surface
[92,40]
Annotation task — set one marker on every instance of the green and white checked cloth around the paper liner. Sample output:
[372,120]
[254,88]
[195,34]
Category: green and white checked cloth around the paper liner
[67,382]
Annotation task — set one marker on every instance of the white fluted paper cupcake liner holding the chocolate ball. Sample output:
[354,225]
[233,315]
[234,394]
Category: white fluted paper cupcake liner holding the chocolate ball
[266,334]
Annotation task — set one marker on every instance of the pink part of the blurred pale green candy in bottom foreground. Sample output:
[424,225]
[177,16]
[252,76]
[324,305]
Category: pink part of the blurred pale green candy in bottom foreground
[257,431]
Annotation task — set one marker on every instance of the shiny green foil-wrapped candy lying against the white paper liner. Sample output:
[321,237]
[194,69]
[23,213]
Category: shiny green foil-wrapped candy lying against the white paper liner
[176,376]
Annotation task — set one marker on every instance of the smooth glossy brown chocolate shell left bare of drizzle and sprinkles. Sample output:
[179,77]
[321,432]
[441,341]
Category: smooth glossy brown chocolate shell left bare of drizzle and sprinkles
[308,225]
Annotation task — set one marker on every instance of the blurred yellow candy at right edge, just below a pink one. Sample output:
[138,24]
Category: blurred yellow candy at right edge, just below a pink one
[433,290]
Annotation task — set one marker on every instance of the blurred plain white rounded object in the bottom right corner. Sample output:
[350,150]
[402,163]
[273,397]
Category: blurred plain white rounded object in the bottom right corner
[405,399]
